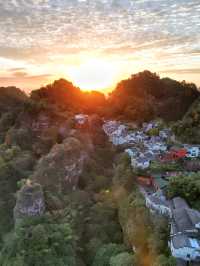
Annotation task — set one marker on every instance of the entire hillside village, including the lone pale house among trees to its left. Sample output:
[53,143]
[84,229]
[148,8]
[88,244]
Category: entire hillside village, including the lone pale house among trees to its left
[149,148]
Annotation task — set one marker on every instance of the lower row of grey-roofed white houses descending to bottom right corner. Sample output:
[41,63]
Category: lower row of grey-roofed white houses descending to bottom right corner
[184,222]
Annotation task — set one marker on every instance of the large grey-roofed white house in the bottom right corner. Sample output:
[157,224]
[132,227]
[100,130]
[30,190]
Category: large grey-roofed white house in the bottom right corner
[185,231]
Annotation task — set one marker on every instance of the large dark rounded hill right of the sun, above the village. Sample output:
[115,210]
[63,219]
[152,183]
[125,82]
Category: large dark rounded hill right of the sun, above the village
[145,96]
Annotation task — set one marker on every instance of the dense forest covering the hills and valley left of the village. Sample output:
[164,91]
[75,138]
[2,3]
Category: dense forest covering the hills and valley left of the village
[68,197]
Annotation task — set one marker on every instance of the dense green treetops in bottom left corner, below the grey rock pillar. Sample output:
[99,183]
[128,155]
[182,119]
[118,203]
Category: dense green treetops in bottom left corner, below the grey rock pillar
[40,242]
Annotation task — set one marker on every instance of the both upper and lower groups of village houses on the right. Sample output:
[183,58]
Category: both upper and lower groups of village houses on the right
[143,148]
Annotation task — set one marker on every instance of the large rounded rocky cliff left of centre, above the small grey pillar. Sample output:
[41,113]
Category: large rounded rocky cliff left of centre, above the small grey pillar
[61,168]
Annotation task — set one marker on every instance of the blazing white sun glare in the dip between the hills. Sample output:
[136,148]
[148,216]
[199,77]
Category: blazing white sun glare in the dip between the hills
[94,74]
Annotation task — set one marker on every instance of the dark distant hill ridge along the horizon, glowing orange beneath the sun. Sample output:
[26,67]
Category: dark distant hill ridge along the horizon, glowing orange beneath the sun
[142,97]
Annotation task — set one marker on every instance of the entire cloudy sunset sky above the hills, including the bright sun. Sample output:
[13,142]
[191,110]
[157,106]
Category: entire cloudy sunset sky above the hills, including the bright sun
[96,43]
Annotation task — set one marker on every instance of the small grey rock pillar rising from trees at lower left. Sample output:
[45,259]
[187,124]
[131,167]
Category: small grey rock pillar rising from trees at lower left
[30,201]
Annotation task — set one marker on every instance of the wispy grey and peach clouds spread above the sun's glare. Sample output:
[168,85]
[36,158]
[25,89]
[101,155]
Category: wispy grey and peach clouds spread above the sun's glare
[43,33]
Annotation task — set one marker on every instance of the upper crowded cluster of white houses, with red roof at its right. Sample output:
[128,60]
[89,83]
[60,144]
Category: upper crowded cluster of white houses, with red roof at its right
[144,148]
